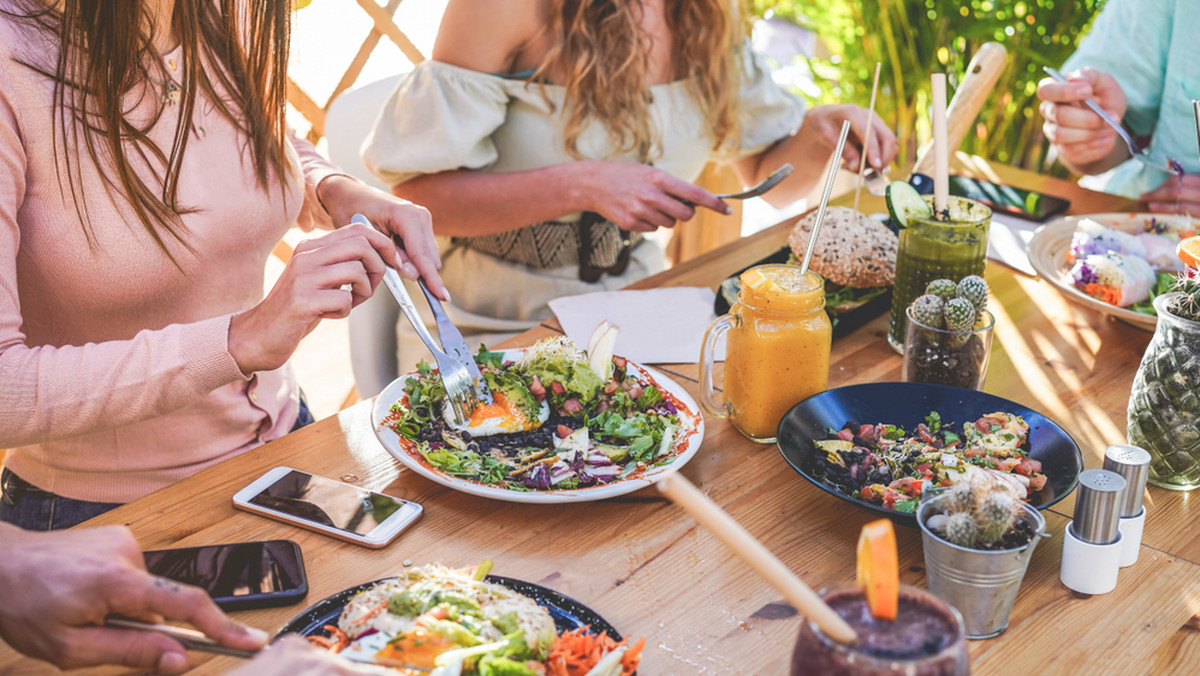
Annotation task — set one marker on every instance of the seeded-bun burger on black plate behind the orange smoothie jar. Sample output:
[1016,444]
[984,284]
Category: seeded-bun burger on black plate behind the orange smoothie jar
[855,254]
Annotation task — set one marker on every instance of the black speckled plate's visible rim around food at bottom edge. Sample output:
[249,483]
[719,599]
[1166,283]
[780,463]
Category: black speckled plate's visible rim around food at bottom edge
[568,613]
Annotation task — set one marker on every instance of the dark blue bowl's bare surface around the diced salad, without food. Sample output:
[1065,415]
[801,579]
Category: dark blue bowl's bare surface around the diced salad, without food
[908,405]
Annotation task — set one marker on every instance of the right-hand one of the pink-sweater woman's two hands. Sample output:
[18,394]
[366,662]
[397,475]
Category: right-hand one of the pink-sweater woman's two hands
[344,198]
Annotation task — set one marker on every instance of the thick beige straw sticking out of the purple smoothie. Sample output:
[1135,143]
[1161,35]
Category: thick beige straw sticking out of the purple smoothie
[753,553]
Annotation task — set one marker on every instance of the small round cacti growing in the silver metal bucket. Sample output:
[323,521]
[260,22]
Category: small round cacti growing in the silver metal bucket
[977,513]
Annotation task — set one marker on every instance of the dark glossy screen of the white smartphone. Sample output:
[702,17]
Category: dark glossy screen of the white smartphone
[328,502]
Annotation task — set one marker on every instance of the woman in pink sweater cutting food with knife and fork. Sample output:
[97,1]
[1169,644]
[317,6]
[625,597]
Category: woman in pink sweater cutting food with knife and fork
[146,176]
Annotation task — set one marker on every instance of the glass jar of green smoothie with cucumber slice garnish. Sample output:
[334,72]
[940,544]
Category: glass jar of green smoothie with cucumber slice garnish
[934,249]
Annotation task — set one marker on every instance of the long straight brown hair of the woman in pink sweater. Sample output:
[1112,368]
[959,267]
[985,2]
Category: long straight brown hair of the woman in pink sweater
[233,52]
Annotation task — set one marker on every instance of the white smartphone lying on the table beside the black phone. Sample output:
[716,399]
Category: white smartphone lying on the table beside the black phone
[345,512]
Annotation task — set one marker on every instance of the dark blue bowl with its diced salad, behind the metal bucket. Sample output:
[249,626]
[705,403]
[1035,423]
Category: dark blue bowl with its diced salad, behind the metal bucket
[880,445]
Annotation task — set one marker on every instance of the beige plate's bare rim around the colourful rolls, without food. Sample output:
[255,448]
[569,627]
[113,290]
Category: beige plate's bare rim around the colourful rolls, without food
[1052,242]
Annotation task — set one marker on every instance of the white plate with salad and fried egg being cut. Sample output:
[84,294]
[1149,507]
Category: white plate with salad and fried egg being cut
[557,433]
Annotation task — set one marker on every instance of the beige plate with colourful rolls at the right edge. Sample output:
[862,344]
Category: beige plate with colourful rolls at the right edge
[1115,264]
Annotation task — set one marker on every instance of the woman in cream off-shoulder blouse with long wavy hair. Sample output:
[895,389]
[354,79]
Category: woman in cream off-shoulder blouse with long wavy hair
[547,136]
